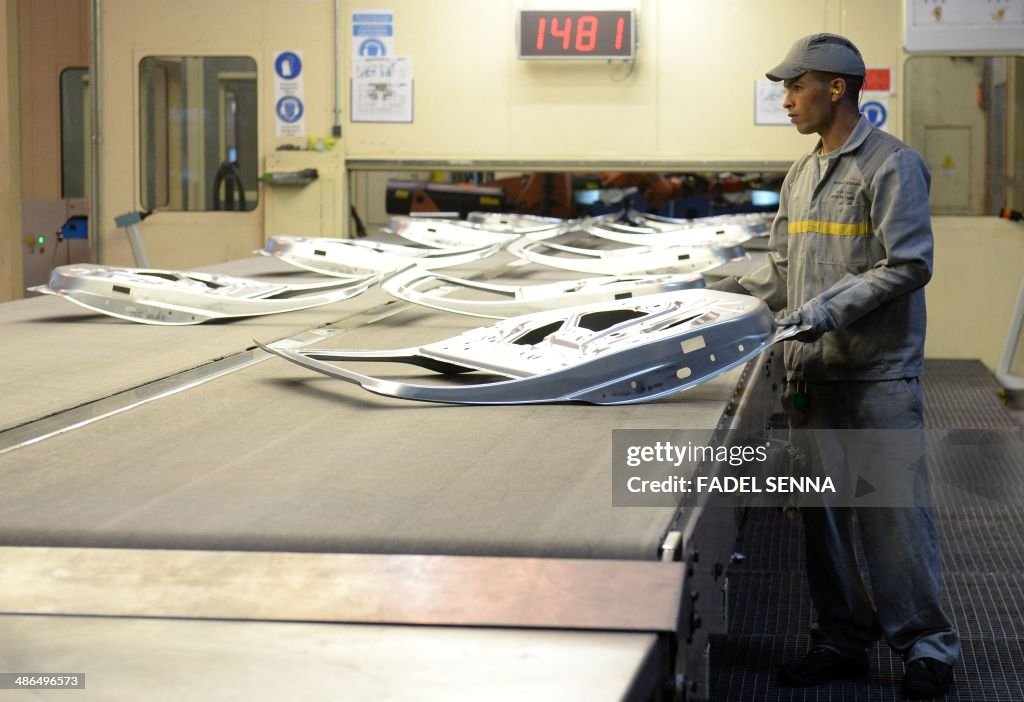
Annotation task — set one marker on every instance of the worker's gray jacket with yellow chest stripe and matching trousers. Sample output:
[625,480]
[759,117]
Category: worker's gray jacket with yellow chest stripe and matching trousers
[857,240]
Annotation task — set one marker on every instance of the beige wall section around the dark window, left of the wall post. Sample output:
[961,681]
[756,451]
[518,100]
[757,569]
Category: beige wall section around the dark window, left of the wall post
[134,29]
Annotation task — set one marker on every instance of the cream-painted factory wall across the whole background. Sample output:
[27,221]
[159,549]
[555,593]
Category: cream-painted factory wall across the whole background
[689,102]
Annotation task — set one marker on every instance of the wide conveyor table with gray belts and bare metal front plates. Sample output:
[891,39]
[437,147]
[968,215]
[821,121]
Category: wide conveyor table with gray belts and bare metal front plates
[269,458]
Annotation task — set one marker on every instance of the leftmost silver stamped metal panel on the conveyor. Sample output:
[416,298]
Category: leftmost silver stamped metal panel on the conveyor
[177,298]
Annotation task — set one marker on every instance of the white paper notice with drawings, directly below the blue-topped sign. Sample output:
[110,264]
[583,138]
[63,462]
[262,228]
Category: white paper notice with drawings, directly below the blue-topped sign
[382,90]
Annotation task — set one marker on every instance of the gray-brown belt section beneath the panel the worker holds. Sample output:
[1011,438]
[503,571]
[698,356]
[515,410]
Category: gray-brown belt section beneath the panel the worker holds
[275,458]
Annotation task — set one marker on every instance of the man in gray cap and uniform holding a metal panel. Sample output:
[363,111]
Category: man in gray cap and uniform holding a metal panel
[850,254]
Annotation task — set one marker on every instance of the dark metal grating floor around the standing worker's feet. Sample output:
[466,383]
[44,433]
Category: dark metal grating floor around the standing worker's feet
[977,473]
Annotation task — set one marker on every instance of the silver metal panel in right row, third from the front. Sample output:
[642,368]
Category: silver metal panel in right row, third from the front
[627,261]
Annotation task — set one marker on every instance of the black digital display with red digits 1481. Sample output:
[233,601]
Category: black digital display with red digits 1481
[577,34]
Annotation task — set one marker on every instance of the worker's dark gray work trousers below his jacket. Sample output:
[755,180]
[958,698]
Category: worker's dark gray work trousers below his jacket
[900,544]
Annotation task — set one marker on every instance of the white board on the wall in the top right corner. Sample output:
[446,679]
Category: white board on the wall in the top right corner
[965,26]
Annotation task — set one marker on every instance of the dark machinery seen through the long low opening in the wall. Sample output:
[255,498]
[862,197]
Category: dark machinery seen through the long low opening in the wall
[569,196]
